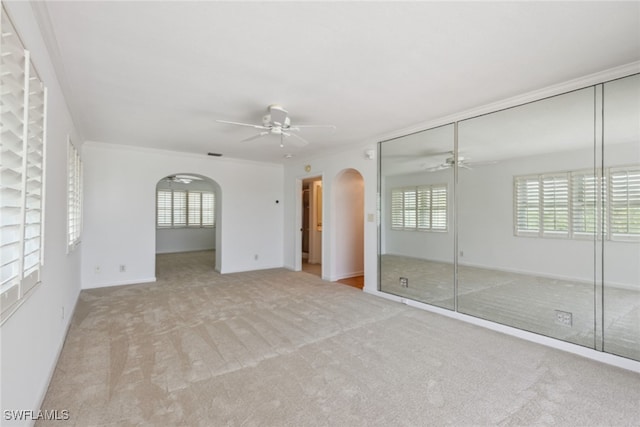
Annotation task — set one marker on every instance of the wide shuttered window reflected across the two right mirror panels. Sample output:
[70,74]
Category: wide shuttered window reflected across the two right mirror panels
[573,204]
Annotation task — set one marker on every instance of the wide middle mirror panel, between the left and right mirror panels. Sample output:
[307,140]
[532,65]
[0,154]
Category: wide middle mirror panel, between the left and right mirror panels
[525,238]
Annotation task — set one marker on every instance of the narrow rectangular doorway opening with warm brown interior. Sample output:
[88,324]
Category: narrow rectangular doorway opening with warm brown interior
[311,226]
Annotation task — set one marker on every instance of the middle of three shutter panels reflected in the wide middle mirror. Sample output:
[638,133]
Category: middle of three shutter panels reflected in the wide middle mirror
[555,205]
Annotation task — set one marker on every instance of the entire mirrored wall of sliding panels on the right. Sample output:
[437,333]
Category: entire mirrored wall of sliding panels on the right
[543,217]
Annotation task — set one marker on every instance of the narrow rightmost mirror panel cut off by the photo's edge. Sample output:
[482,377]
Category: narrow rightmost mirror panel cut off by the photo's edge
[621,233]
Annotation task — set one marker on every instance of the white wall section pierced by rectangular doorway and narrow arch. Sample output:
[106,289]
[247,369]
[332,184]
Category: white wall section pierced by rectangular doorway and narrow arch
[329,167]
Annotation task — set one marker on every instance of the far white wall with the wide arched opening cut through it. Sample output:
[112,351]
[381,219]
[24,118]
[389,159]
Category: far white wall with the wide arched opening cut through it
[120,188]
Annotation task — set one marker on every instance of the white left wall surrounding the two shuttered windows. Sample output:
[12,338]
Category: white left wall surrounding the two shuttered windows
[33,336]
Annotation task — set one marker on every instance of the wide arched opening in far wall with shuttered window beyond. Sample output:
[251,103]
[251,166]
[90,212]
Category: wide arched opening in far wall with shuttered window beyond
[188,208]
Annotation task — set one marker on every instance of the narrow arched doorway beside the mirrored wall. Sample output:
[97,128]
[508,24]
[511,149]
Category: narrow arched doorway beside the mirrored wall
[349,228]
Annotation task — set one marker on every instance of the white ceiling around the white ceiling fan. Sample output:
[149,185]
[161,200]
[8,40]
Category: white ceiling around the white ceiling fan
[158,74]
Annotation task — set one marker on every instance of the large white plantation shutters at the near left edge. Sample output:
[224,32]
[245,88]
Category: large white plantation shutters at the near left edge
[23,106]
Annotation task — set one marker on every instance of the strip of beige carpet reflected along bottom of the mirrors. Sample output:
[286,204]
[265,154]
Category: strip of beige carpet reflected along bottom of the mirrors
[523,301]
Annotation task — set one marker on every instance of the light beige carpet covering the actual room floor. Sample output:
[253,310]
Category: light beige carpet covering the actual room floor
[280,348]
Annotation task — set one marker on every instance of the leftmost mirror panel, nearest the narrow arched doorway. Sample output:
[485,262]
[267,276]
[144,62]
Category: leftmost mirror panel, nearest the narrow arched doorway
[416,228]
